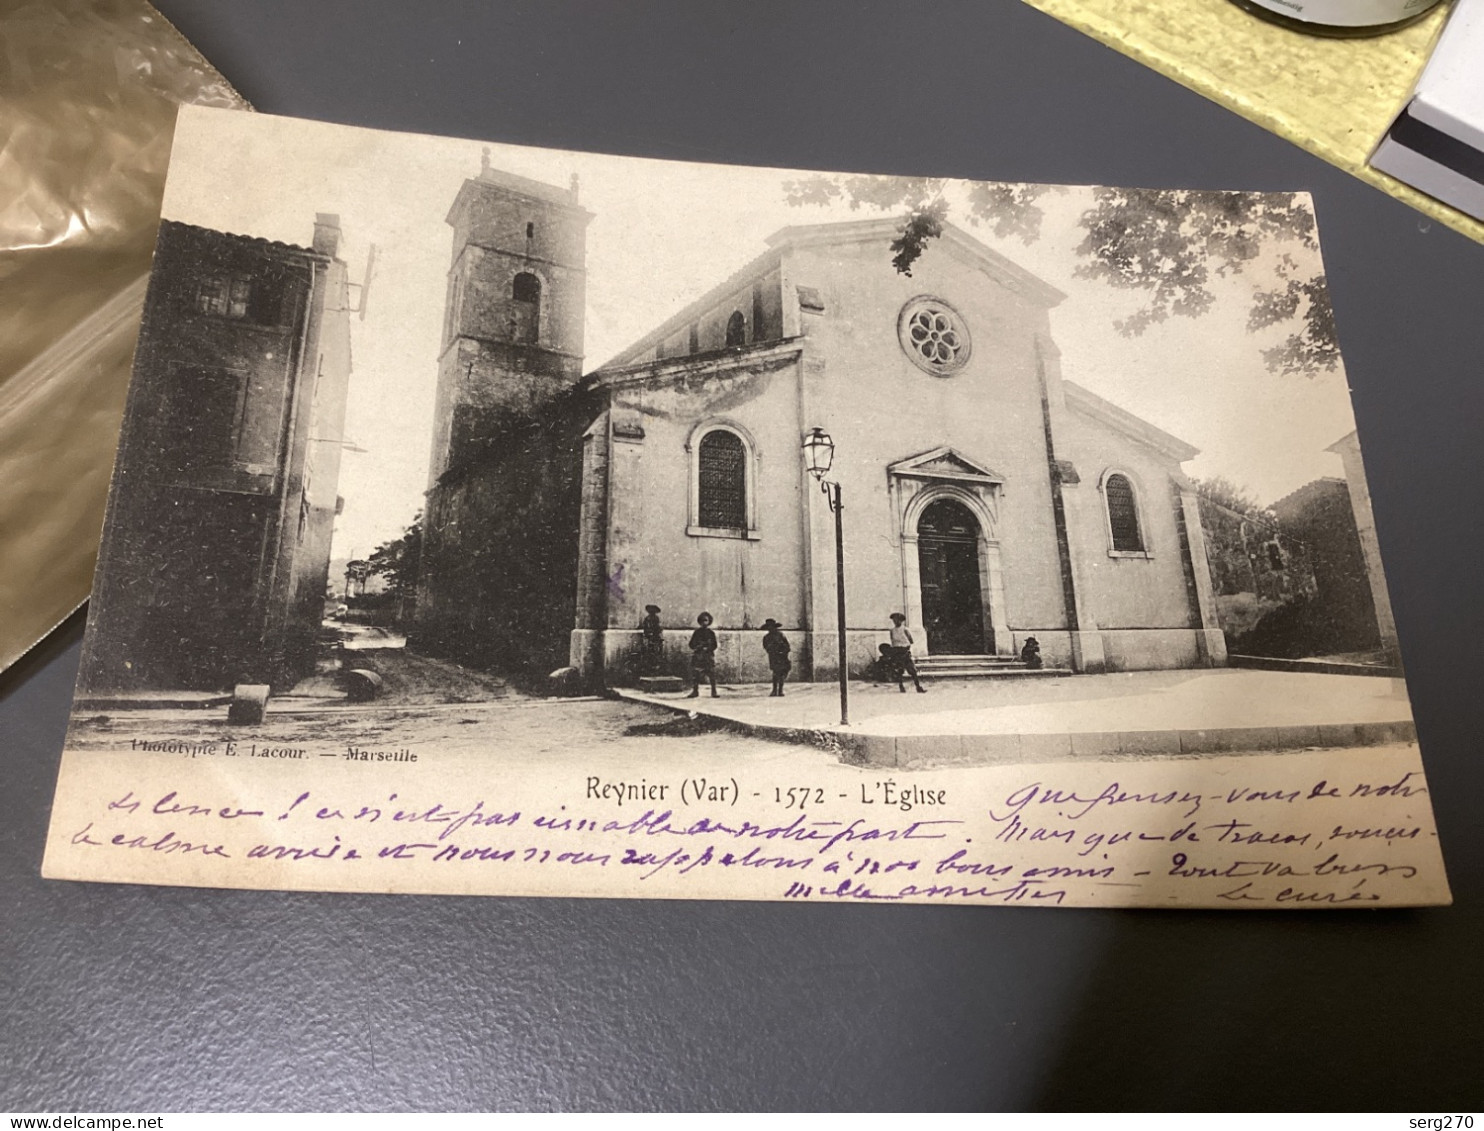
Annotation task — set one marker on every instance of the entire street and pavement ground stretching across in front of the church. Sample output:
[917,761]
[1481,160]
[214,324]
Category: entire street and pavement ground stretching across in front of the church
[1139,715]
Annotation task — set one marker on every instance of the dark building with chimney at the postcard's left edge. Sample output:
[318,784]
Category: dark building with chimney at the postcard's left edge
[225,491]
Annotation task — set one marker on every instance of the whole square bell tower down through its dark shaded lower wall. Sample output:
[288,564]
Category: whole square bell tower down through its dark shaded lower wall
[501,525]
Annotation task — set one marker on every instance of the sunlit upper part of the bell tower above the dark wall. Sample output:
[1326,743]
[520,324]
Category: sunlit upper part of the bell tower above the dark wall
[513,321]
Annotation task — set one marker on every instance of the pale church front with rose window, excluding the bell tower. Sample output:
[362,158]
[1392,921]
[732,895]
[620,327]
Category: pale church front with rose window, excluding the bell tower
[985,496]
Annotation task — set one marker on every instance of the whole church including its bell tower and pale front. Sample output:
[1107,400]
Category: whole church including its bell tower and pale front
[985,498]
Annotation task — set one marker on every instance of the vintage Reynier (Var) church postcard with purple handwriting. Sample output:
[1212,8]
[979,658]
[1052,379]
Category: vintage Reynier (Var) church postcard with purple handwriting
[495,520]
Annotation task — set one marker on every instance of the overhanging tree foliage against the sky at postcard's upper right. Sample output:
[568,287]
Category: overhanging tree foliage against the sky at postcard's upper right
[1167,244]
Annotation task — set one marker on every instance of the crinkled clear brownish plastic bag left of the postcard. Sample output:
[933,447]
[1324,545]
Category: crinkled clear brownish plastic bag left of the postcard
[88,96]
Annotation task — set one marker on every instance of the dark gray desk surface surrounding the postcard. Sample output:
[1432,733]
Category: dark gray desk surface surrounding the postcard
[158,1000]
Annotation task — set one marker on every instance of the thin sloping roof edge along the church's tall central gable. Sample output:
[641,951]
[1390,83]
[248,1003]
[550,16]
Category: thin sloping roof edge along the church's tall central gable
[884,231]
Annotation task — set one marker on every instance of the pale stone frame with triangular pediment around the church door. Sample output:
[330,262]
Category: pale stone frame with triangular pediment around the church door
[919,482]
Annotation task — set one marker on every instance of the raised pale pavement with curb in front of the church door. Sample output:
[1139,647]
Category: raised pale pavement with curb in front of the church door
[1164,715]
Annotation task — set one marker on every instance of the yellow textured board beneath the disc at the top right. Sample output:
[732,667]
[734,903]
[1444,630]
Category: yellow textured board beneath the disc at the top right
[1333,97]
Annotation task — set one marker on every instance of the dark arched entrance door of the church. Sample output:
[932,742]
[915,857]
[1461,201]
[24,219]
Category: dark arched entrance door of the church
[949,568]
